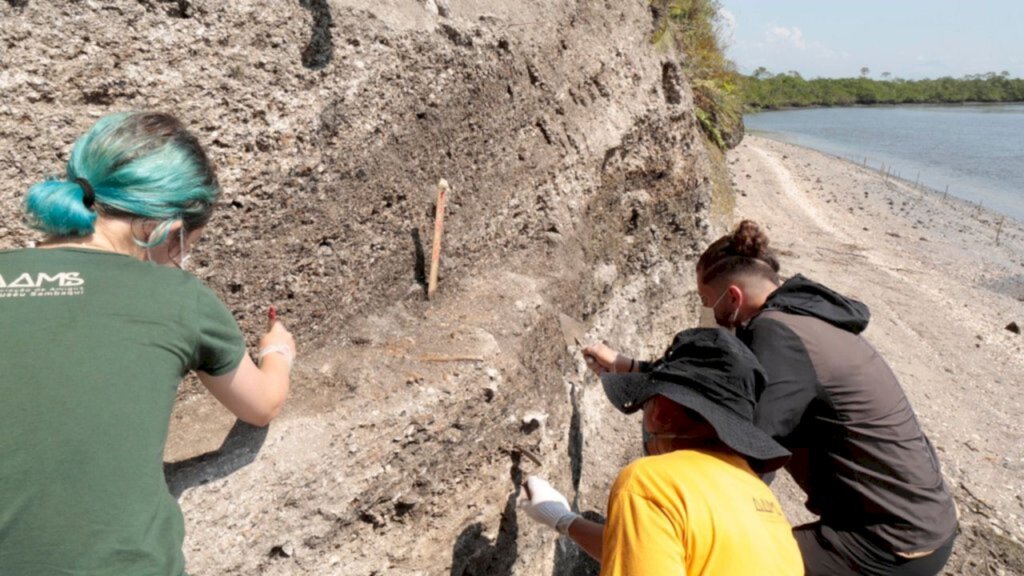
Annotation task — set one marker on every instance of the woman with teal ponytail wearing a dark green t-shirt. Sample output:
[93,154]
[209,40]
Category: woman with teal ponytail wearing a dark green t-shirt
[101,324]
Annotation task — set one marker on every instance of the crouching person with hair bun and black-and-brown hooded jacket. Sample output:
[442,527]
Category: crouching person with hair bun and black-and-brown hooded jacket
[869,471]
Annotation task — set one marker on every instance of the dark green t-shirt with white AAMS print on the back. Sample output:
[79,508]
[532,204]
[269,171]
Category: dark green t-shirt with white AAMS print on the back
[93,349]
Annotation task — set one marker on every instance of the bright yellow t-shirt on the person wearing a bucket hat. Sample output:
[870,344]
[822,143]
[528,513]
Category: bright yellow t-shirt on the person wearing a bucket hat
[696,512]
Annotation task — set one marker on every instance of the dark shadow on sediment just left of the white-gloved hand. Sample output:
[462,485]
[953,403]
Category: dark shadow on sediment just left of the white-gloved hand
[474,555]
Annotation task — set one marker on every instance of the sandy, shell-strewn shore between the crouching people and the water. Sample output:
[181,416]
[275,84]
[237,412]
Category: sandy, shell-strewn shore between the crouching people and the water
[942,292]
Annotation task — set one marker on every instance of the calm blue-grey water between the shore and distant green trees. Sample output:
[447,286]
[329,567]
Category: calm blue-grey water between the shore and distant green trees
[977,151]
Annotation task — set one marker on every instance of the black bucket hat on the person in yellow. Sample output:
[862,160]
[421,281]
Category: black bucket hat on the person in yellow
[711,373]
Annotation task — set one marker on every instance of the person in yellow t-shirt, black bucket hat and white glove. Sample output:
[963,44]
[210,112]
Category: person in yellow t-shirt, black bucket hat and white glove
[696,504]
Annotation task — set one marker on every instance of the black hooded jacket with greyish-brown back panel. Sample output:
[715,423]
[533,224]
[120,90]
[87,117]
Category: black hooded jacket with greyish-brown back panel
[859,450]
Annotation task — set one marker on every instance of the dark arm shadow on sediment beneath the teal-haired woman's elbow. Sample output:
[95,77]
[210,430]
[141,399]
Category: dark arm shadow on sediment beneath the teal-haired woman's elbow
[239,450]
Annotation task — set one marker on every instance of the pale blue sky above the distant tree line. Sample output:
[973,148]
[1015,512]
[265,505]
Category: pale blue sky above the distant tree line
[910,39]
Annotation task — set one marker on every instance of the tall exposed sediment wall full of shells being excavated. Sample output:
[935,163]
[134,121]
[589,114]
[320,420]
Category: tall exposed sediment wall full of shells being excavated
[580,186]
